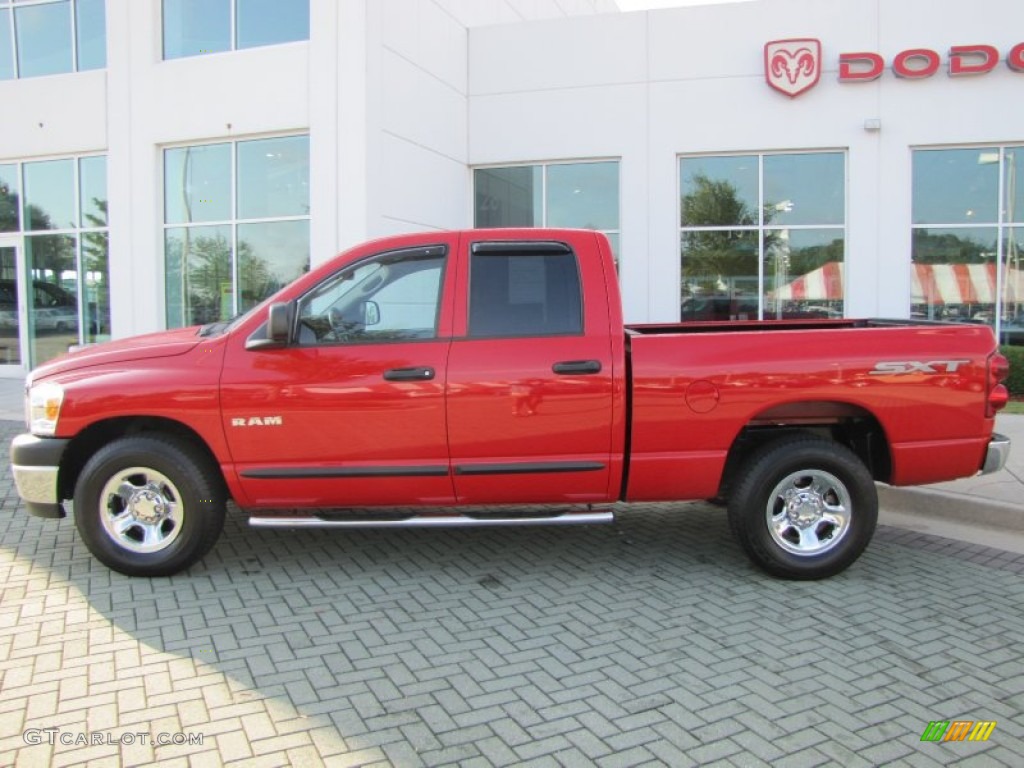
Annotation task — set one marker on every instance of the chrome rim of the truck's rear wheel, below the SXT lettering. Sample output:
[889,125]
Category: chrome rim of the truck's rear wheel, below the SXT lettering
[808,513]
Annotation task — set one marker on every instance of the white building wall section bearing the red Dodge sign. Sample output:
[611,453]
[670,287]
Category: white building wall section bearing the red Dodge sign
[649,88]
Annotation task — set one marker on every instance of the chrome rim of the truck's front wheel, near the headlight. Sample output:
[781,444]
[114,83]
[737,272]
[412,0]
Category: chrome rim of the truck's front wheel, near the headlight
[142,510]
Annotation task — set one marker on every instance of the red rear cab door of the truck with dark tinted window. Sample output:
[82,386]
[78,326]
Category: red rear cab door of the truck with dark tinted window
[530,381]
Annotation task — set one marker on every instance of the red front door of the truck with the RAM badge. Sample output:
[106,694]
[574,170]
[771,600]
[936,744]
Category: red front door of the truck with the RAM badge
[352,412]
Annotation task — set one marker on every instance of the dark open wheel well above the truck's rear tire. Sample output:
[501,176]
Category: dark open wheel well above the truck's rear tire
[849,425]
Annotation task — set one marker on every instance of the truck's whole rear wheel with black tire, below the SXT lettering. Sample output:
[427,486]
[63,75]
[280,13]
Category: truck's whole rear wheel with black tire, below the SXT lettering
[831,517]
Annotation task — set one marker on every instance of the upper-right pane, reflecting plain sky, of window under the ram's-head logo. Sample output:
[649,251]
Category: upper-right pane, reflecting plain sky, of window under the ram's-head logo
[804,189]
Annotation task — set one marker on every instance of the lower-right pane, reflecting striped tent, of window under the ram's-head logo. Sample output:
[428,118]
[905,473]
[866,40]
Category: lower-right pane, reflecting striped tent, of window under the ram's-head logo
[804,274]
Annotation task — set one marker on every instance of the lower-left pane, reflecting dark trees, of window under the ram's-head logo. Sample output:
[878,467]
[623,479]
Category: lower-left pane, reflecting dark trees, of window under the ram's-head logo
[720,276]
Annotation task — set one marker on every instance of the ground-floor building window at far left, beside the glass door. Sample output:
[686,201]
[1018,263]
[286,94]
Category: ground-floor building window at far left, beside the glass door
[59,209]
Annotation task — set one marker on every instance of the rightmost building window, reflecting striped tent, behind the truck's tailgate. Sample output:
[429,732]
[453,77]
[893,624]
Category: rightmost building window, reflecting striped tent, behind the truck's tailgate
[968,229]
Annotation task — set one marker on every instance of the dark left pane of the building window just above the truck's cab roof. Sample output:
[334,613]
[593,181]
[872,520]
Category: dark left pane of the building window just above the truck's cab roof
[508,197]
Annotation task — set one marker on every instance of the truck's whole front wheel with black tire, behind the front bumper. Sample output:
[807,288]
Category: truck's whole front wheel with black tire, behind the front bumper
[149,505]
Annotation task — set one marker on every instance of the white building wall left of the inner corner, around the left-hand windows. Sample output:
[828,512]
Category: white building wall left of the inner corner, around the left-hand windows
[380,88]
